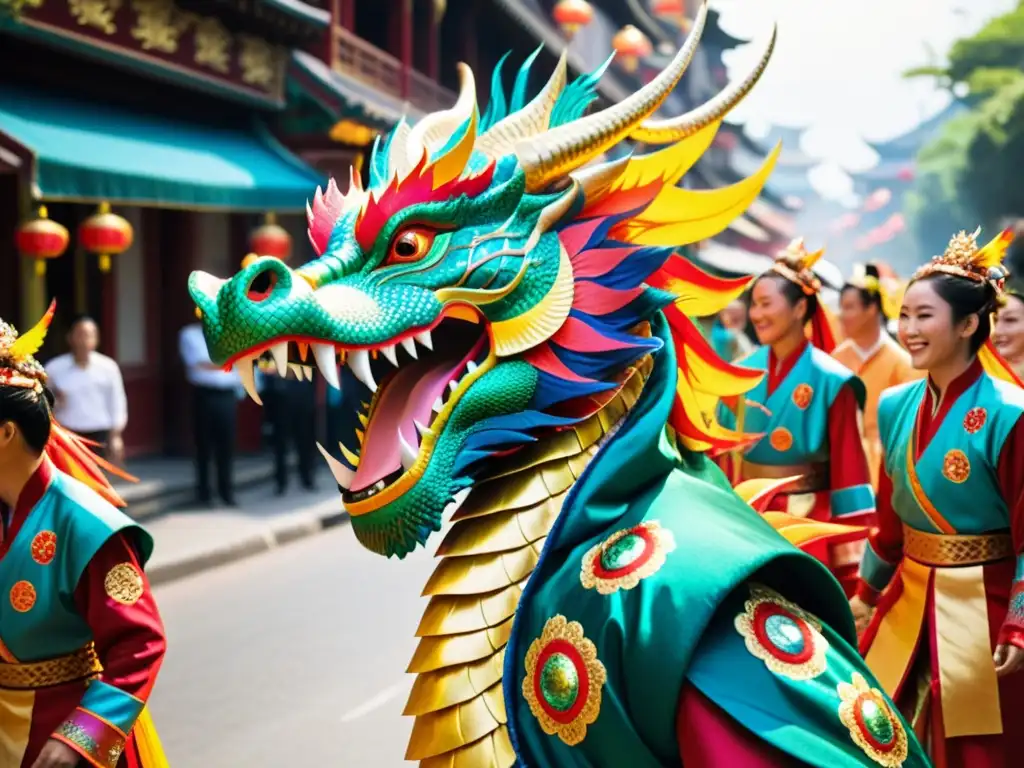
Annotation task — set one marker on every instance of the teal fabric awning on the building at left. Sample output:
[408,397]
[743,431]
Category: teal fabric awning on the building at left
[88,153]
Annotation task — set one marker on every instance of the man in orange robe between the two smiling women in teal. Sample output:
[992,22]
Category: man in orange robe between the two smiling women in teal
[866,307]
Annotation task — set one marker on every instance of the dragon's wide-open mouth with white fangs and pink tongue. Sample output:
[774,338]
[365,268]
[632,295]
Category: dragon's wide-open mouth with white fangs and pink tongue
[414,382]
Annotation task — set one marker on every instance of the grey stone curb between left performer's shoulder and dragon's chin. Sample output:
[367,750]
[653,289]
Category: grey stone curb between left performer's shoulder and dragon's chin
[273,537]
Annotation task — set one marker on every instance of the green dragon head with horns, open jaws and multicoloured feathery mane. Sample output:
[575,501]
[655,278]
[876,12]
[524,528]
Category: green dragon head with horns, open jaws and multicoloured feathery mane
[493,285]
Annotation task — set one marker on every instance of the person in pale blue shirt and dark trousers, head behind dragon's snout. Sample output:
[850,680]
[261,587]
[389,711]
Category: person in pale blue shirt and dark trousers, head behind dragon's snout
[215,412]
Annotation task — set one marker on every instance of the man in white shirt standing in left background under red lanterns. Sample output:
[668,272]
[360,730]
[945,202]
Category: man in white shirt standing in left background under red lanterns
[90,391]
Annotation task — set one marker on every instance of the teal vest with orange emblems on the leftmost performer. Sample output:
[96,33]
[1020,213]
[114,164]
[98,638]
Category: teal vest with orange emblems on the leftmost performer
[79,523]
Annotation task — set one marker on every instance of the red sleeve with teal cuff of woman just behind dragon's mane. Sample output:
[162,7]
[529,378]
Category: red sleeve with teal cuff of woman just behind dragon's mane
[852,498]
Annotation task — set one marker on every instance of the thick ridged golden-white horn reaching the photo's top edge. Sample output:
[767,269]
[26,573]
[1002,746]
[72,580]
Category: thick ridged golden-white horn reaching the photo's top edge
[557,153]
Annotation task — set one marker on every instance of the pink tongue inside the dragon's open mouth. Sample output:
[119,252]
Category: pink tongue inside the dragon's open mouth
[410,396]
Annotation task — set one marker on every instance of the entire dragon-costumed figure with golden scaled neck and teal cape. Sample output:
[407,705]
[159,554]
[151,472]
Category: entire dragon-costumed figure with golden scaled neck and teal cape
[515,335]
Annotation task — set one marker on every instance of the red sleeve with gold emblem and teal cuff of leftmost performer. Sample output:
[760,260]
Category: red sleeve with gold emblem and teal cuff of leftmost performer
[115,599]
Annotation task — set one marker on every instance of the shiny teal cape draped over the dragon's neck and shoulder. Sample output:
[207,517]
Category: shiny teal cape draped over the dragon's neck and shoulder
[647,636]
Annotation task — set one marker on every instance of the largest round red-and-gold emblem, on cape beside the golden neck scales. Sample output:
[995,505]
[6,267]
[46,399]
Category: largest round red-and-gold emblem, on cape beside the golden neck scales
[564,680]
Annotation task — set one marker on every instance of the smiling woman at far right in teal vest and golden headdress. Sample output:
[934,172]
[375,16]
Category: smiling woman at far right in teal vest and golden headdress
[948,639]
